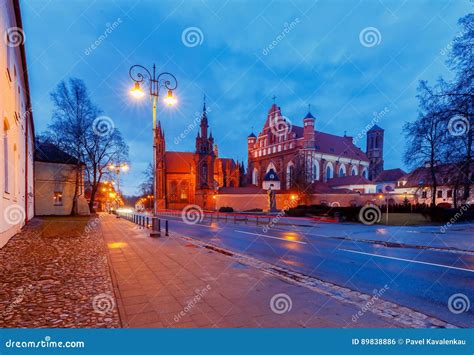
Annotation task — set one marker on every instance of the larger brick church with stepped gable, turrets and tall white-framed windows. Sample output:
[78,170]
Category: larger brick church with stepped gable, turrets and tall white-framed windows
[285,155]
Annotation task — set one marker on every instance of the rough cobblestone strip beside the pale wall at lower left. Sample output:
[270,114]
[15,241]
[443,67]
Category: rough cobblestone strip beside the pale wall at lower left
[55,274]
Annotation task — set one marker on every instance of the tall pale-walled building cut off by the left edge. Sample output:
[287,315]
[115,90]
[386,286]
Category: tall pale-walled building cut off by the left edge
[17,131]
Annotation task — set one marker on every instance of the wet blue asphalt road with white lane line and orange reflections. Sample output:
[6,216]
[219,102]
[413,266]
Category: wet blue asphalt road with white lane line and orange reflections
[423,280]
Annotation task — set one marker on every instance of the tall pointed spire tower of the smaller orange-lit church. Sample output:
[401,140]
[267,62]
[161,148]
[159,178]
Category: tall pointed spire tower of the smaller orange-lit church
[204,158]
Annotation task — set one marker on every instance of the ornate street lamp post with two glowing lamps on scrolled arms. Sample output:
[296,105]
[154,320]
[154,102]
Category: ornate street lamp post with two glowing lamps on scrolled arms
[138,74]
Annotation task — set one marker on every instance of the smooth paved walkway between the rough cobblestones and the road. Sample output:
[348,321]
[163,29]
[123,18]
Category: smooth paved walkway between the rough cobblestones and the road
[170,282]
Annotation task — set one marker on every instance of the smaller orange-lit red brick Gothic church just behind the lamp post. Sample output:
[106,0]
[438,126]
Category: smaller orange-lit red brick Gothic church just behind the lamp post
[185,178]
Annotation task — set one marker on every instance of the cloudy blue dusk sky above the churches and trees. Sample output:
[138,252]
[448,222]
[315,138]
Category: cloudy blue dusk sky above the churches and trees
[356,62]
